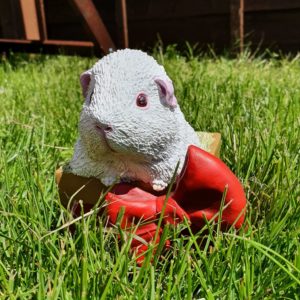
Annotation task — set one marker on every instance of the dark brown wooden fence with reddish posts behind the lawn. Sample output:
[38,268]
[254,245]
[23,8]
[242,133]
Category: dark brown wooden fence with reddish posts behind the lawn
[103,25]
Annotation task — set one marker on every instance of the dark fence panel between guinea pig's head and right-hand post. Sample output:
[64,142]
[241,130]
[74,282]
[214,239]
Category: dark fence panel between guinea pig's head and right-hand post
[205,22]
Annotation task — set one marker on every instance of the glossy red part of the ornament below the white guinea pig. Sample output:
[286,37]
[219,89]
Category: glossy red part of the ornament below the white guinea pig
[203,182]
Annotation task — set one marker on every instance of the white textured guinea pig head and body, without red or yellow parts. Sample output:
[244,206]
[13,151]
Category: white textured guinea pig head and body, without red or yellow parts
[131,127]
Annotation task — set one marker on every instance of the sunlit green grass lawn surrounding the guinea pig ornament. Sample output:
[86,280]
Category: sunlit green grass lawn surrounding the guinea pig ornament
[254,103]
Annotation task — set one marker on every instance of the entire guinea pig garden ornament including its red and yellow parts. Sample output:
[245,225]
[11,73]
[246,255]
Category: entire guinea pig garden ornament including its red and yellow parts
[132,134]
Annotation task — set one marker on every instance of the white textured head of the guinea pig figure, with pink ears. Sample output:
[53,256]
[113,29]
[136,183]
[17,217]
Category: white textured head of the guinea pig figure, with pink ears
[130,108]
